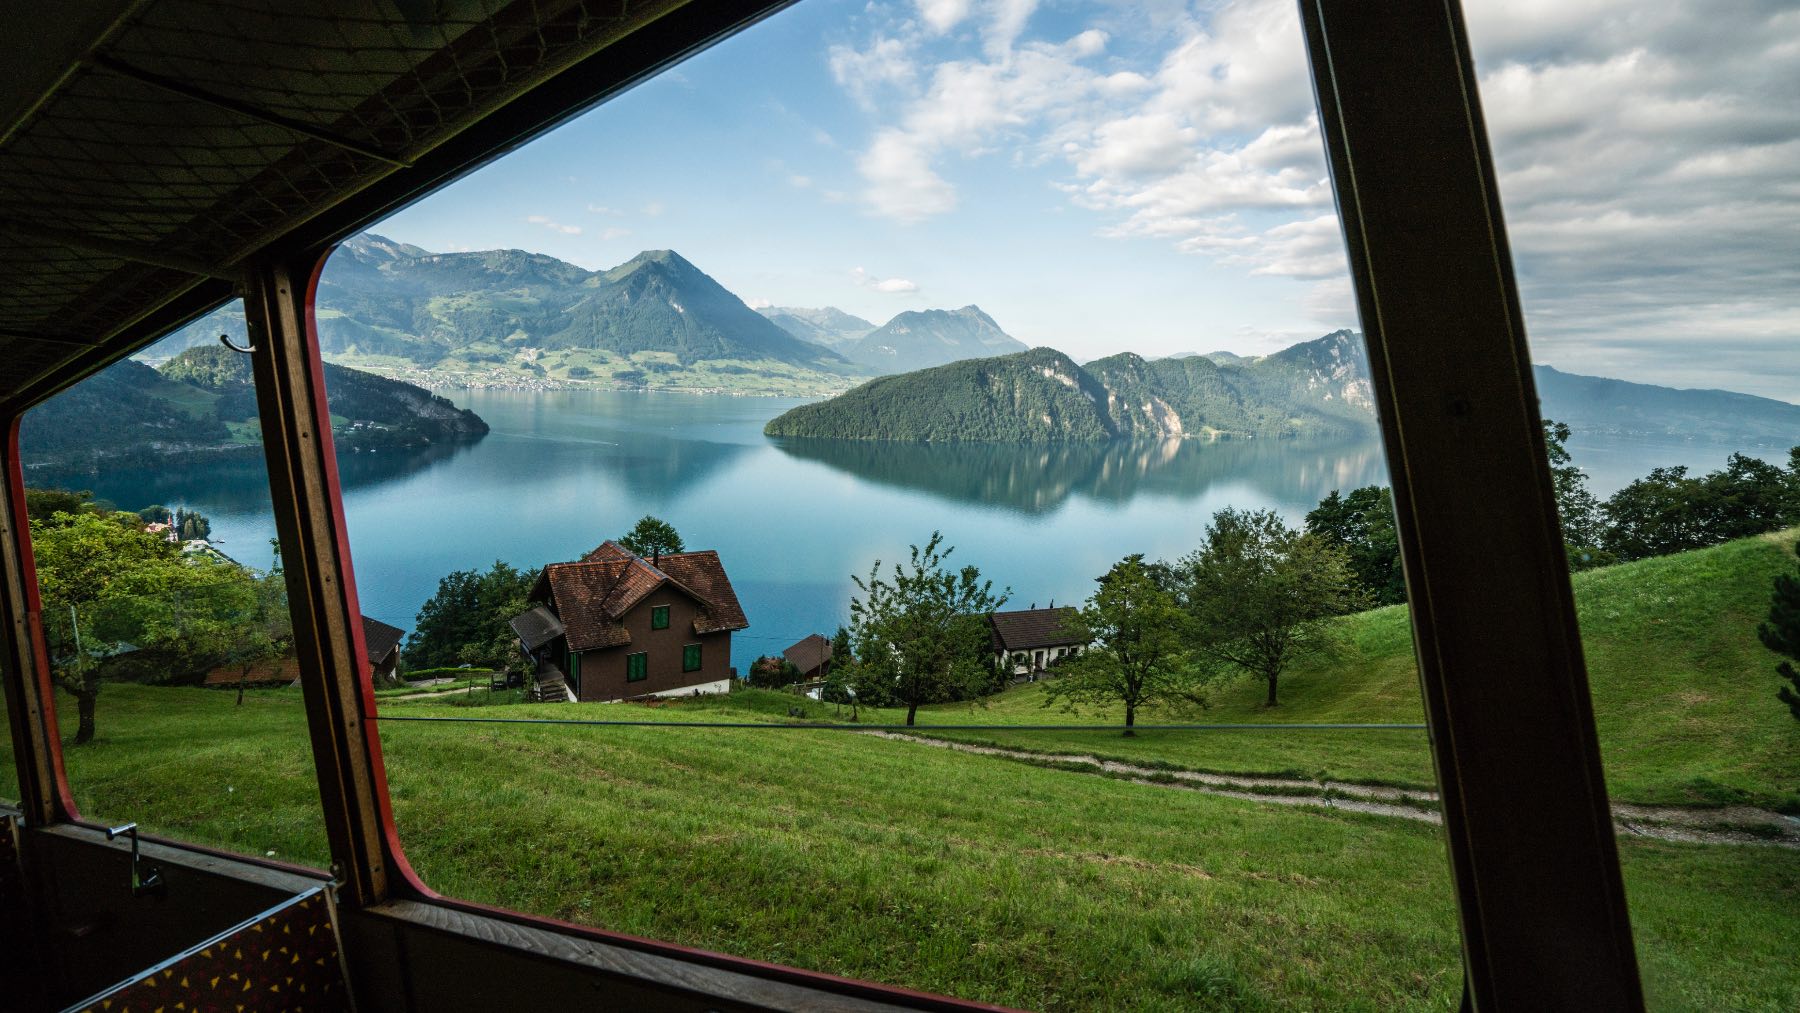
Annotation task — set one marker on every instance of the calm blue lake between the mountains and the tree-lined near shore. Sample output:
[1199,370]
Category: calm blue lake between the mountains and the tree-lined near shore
[793,521]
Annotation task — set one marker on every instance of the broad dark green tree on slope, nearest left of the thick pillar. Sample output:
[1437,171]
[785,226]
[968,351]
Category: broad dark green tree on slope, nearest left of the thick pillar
[1261,595]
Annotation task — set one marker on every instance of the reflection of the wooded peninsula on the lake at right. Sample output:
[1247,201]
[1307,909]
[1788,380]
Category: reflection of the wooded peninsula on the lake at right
[1034,480]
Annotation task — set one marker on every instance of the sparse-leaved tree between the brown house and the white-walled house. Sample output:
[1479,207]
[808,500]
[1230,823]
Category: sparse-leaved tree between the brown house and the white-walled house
[922,636]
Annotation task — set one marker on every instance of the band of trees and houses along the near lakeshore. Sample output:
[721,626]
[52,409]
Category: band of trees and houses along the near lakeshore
[145,598]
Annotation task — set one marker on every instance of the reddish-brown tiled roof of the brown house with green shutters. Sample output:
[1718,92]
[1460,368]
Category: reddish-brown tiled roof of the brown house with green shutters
[593,596]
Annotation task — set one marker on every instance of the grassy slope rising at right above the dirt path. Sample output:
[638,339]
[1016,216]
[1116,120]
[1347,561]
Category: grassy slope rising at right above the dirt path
[1684,694]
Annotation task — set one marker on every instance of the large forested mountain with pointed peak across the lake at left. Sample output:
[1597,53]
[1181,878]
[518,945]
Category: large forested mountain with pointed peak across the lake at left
[530,316]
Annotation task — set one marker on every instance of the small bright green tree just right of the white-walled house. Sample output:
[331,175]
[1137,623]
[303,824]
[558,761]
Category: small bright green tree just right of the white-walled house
[1137,650]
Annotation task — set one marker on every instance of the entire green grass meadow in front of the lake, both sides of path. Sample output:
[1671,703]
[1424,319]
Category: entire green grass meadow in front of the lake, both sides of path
[1025,884]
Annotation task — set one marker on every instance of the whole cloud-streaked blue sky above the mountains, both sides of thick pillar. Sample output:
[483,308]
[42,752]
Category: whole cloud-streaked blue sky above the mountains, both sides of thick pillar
[1147,177]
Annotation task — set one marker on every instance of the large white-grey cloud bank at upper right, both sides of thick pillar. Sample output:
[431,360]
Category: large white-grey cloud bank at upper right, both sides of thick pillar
[1646,156]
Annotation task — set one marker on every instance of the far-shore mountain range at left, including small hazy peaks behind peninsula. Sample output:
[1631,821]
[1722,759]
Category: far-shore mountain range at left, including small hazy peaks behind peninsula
[654,321]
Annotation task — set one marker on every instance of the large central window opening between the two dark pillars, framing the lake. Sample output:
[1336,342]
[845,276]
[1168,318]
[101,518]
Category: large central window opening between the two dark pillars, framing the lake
[1092,255]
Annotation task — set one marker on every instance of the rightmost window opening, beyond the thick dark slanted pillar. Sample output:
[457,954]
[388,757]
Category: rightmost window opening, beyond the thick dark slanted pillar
[1659,251]
